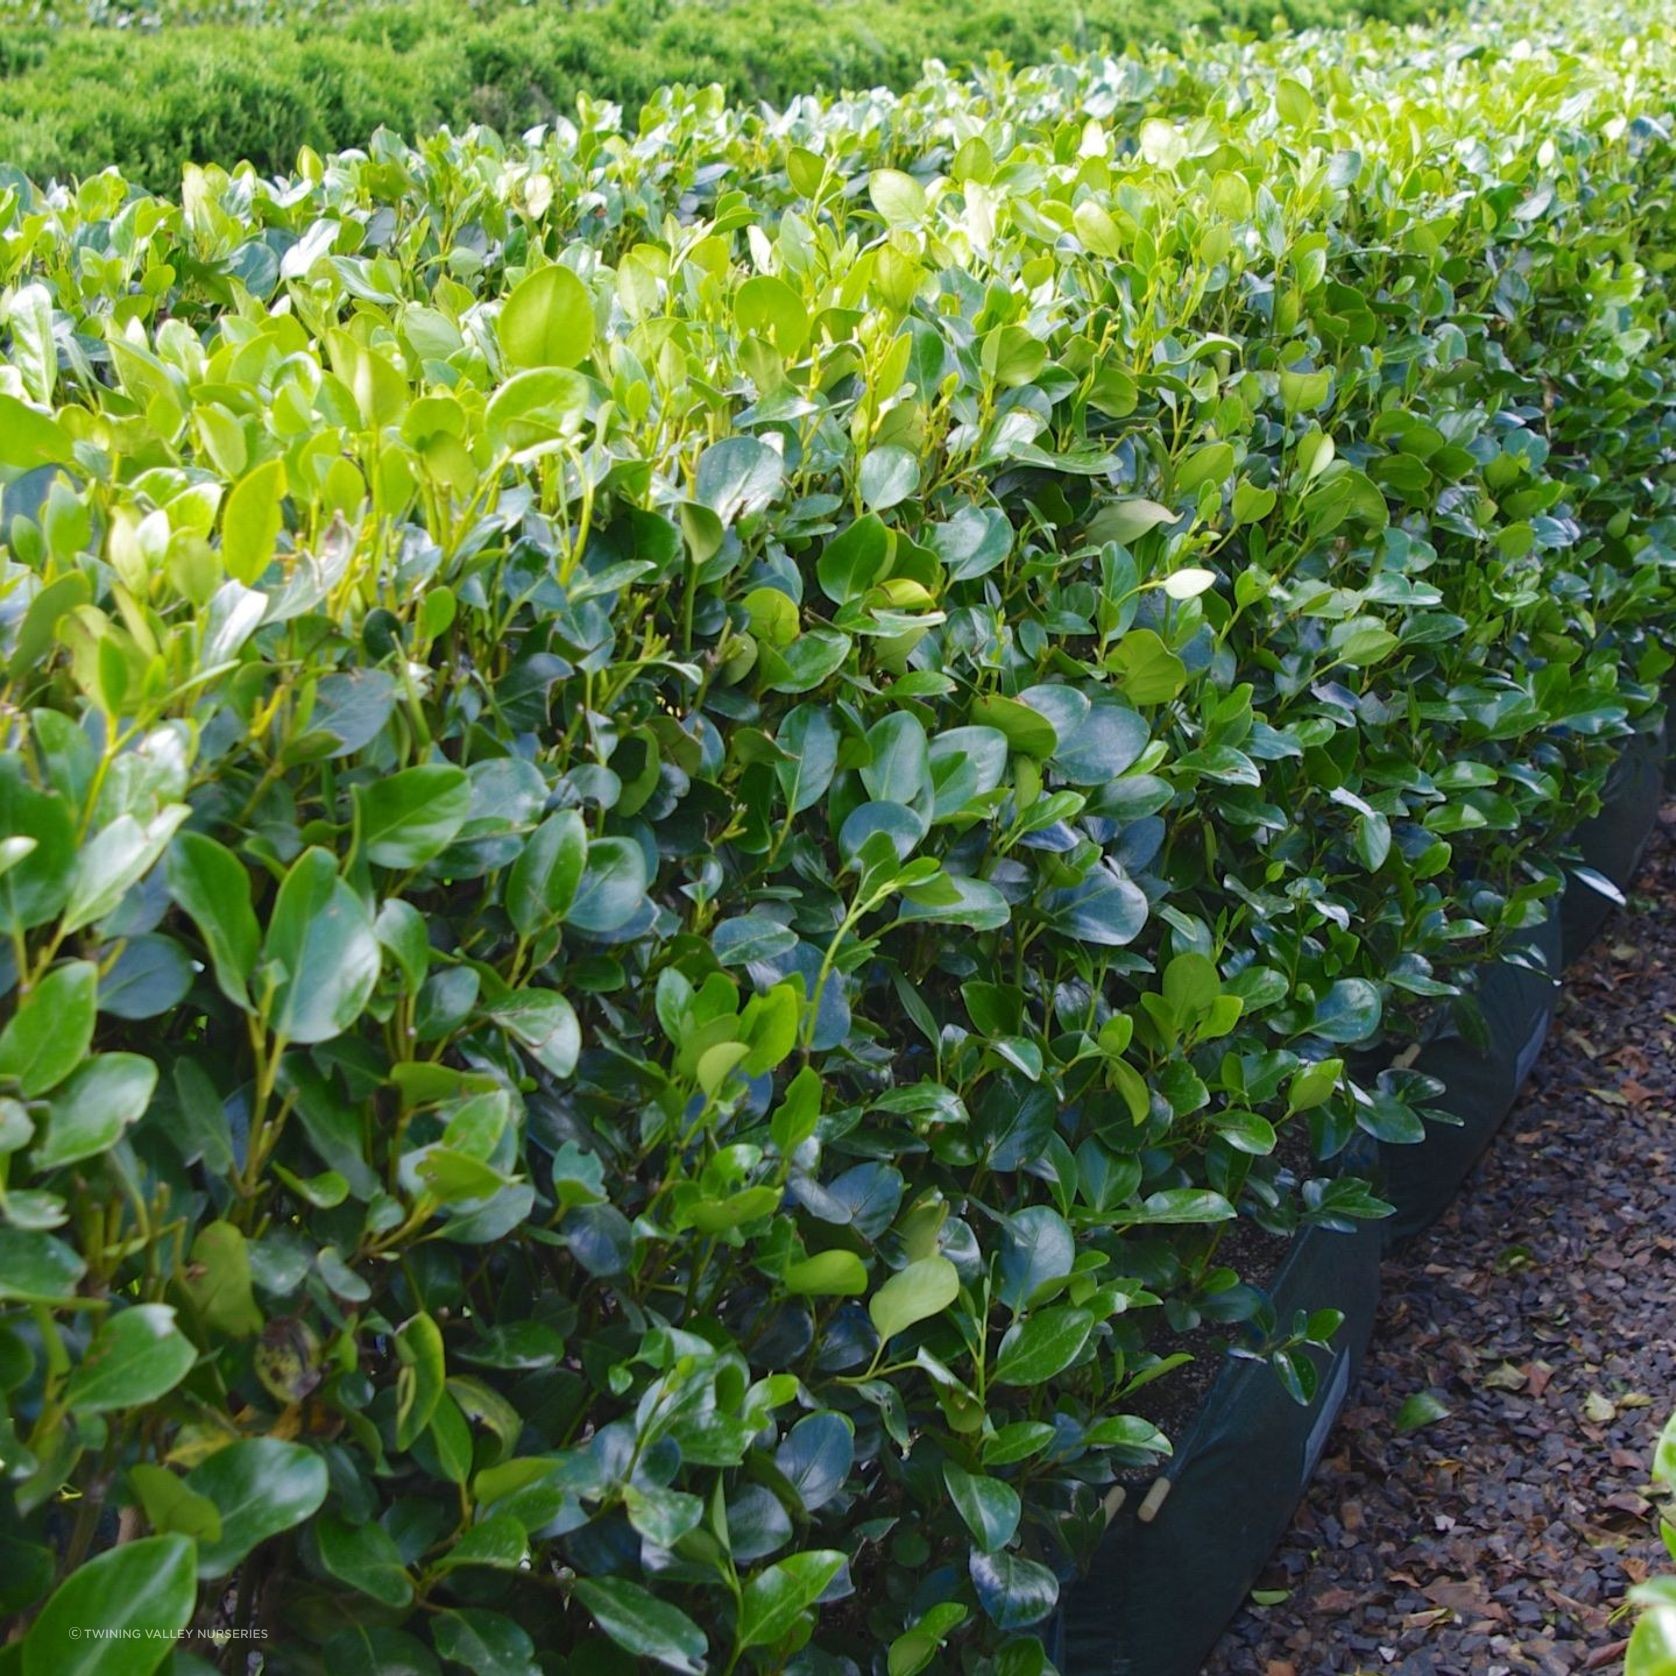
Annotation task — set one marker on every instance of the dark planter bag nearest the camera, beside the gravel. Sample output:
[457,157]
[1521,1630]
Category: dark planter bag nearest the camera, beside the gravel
[1161,1591]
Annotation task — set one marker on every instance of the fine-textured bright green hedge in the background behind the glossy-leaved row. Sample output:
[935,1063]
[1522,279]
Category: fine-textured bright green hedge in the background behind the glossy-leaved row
[222,91]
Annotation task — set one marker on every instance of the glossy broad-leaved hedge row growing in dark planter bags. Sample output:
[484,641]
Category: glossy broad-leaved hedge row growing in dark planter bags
[701,825]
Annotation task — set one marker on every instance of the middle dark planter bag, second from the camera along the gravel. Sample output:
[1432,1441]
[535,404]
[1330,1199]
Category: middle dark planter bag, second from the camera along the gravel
[1479,1089]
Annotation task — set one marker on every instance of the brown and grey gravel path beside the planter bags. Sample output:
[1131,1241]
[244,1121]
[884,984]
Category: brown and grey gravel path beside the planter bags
[1539,1311]
